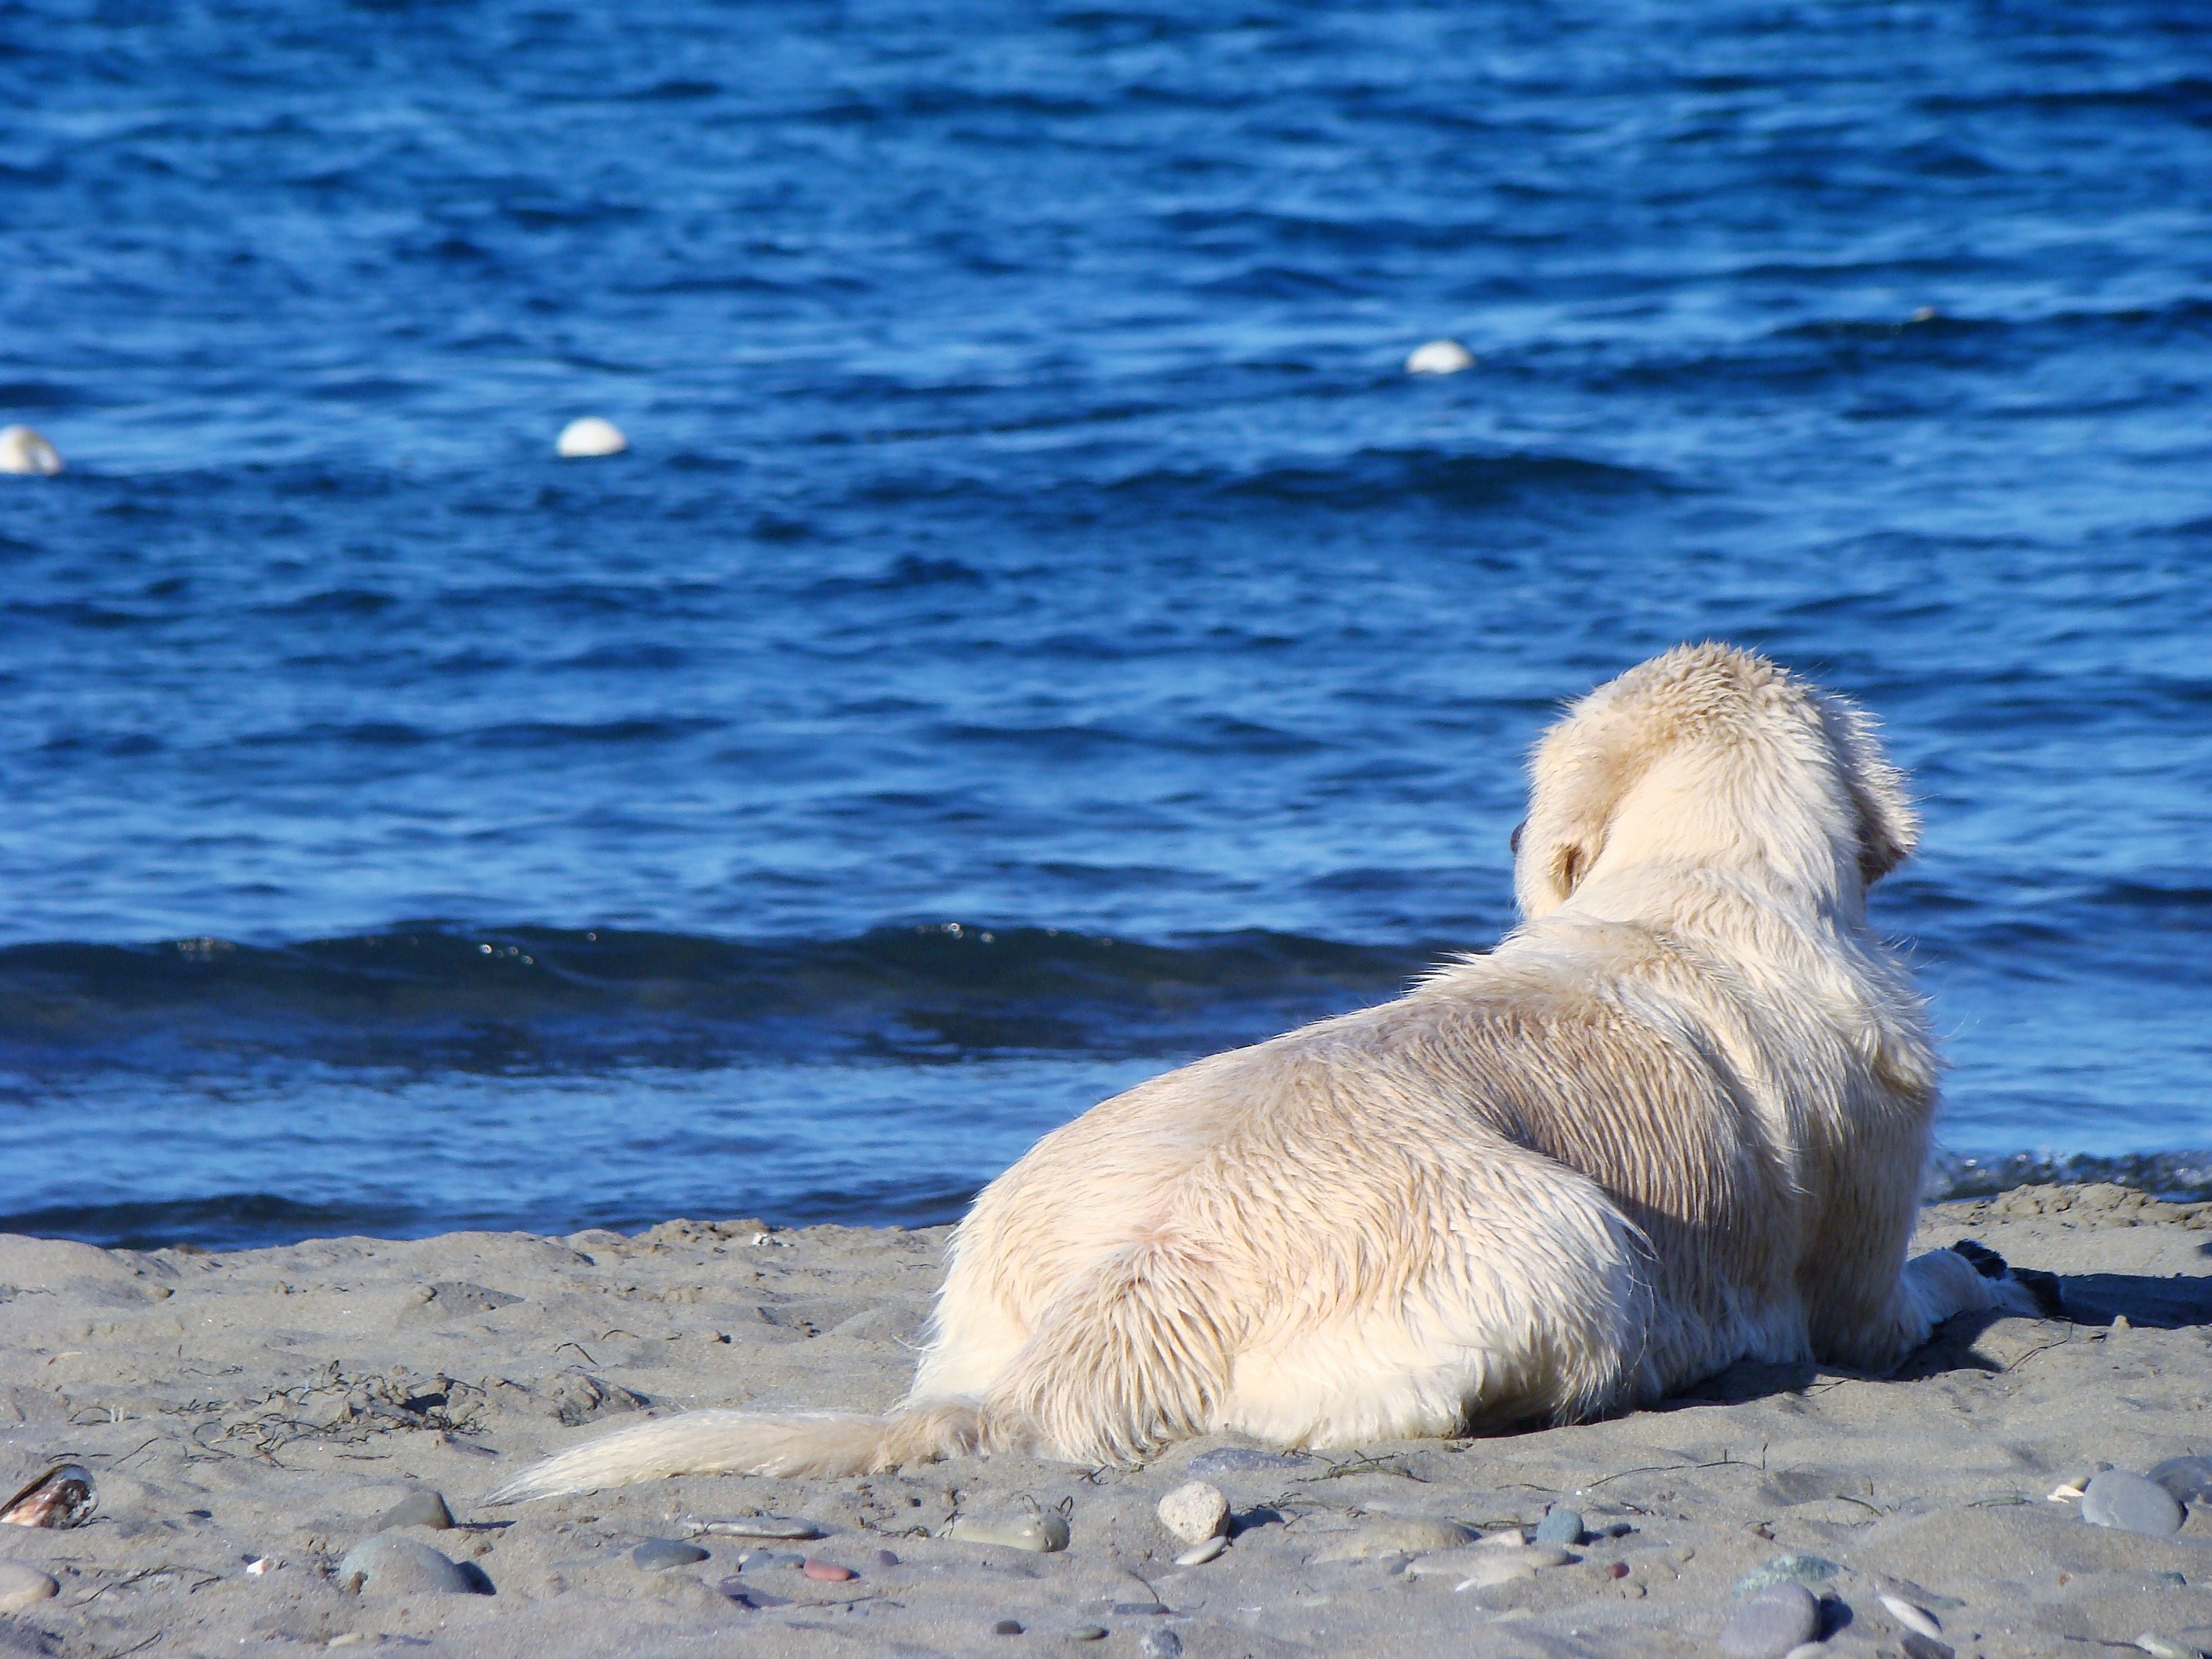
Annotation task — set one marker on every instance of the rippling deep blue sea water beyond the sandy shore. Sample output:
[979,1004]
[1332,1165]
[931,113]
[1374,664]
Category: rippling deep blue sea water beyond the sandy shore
[1039,634]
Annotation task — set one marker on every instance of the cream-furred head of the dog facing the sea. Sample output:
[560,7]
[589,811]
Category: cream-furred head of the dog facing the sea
[1718,758]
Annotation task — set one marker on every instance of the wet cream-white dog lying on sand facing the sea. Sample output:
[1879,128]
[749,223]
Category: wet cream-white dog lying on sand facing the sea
[1676,1120]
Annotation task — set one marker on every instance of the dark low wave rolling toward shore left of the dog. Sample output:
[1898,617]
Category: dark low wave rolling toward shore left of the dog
[530,999]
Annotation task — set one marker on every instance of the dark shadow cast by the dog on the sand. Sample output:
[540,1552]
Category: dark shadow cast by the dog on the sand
[2091,1302]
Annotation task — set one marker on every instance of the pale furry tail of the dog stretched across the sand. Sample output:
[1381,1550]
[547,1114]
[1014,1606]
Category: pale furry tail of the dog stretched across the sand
[749,1443]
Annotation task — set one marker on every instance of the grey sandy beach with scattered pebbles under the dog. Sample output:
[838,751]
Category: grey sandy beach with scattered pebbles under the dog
[249,1419]
